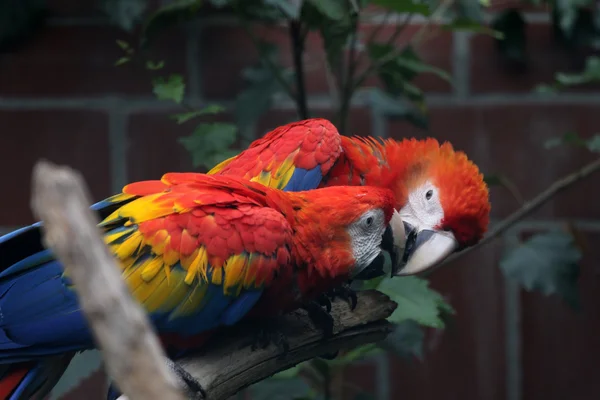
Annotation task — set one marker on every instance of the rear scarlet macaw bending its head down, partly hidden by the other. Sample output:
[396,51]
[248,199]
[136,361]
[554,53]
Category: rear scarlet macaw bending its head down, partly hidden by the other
[440,194]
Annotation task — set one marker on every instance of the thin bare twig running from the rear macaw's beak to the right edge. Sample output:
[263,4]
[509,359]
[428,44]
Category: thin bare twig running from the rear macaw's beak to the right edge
[530,207]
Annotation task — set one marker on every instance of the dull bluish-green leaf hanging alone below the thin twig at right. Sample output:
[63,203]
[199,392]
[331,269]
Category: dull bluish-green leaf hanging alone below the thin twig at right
[547,262]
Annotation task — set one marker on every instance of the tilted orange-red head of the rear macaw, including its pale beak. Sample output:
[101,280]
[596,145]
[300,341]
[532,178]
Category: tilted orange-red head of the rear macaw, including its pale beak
[445,204]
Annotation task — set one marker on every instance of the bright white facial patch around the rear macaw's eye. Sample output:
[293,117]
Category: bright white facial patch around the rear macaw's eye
[423,208]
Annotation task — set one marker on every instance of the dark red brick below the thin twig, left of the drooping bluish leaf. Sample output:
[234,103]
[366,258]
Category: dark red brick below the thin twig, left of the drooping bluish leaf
[466,359]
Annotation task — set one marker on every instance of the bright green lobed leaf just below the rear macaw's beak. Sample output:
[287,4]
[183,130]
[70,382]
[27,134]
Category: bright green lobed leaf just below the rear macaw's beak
[416,301]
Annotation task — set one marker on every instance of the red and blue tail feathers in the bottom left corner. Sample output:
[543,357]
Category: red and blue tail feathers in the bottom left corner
[32,380]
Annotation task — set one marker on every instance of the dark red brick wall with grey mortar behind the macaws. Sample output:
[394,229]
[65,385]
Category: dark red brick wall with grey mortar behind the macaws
[61,98]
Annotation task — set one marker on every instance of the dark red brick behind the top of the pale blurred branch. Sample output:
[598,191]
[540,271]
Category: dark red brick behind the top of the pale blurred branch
[75,138]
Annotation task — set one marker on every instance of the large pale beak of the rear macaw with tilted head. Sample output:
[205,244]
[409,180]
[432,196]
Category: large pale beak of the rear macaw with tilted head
[425,248]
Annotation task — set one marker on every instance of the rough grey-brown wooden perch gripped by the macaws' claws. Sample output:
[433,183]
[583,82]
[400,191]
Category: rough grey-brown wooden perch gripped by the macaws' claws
[228,364]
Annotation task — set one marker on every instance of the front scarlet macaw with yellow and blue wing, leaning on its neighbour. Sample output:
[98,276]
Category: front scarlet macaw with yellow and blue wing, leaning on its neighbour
[198,252]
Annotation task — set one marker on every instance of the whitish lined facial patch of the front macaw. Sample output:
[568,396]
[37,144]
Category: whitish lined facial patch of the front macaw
[366,235]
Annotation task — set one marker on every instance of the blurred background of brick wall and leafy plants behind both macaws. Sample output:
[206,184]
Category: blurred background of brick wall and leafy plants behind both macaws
[125,90]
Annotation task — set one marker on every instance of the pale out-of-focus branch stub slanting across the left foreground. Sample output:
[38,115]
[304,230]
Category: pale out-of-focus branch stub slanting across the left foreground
[131,351]
